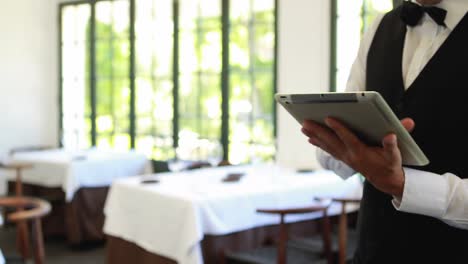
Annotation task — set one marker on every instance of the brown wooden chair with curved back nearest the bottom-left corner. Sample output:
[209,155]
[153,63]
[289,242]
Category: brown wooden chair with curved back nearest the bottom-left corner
[33,210]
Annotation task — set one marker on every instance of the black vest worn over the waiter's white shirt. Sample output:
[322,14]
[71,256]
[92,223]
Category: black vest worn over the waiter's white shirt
[438,102]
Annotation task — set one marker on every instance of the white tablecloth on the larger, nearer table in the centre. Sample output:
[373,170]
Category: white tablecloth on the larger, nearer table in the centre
[171,217]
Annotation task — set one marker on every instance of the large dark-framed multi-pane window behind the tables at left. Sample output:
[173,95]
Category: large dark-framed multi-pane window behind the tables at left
[169,77]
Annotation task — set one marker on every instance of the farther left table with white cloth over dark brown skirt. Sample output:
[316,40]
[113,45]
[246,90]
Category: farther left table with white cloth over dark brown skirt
[76,183]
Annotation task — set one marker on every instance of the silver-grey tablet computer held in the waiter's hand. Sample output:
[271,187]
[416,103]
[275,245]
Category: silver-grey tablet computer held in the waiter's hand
[365,113]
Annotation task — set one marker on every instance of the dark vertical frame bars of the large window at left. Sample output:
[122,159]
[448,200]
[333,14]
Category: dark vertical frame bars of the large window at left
[224,76]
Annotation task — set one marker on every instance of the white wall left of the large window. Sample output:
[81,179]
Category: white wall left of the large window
[28,73]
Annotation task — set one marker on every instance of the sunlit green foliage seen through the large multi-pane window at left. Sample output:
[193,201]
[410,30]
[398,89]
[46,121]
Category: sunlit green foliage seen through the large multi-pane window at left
[251,77]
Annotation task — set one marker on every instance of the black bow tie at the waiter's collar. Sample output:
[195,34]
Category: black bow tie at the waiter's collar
[411,13]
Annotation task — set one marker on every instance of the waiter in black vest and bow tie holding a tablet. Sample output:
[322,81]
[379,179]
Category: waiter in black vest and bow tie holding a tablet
[416,57]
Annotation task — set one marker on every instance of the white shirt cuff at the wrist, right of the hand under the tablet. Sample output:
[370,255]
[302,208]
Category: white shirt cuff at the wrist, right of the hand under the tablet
[424,193]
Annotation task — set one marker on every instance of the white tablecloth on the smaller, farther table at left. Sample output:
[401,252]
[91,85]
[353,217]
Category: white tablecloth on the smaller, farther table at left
[72,170]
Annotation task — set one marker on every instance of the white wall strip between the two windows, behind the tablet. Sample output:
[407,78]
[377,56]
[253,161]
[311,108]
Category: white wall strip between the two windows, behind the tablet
[304,44]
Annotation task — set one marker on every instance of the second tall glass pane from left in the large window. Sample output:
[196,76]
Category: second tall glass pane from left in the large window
[112,72]
